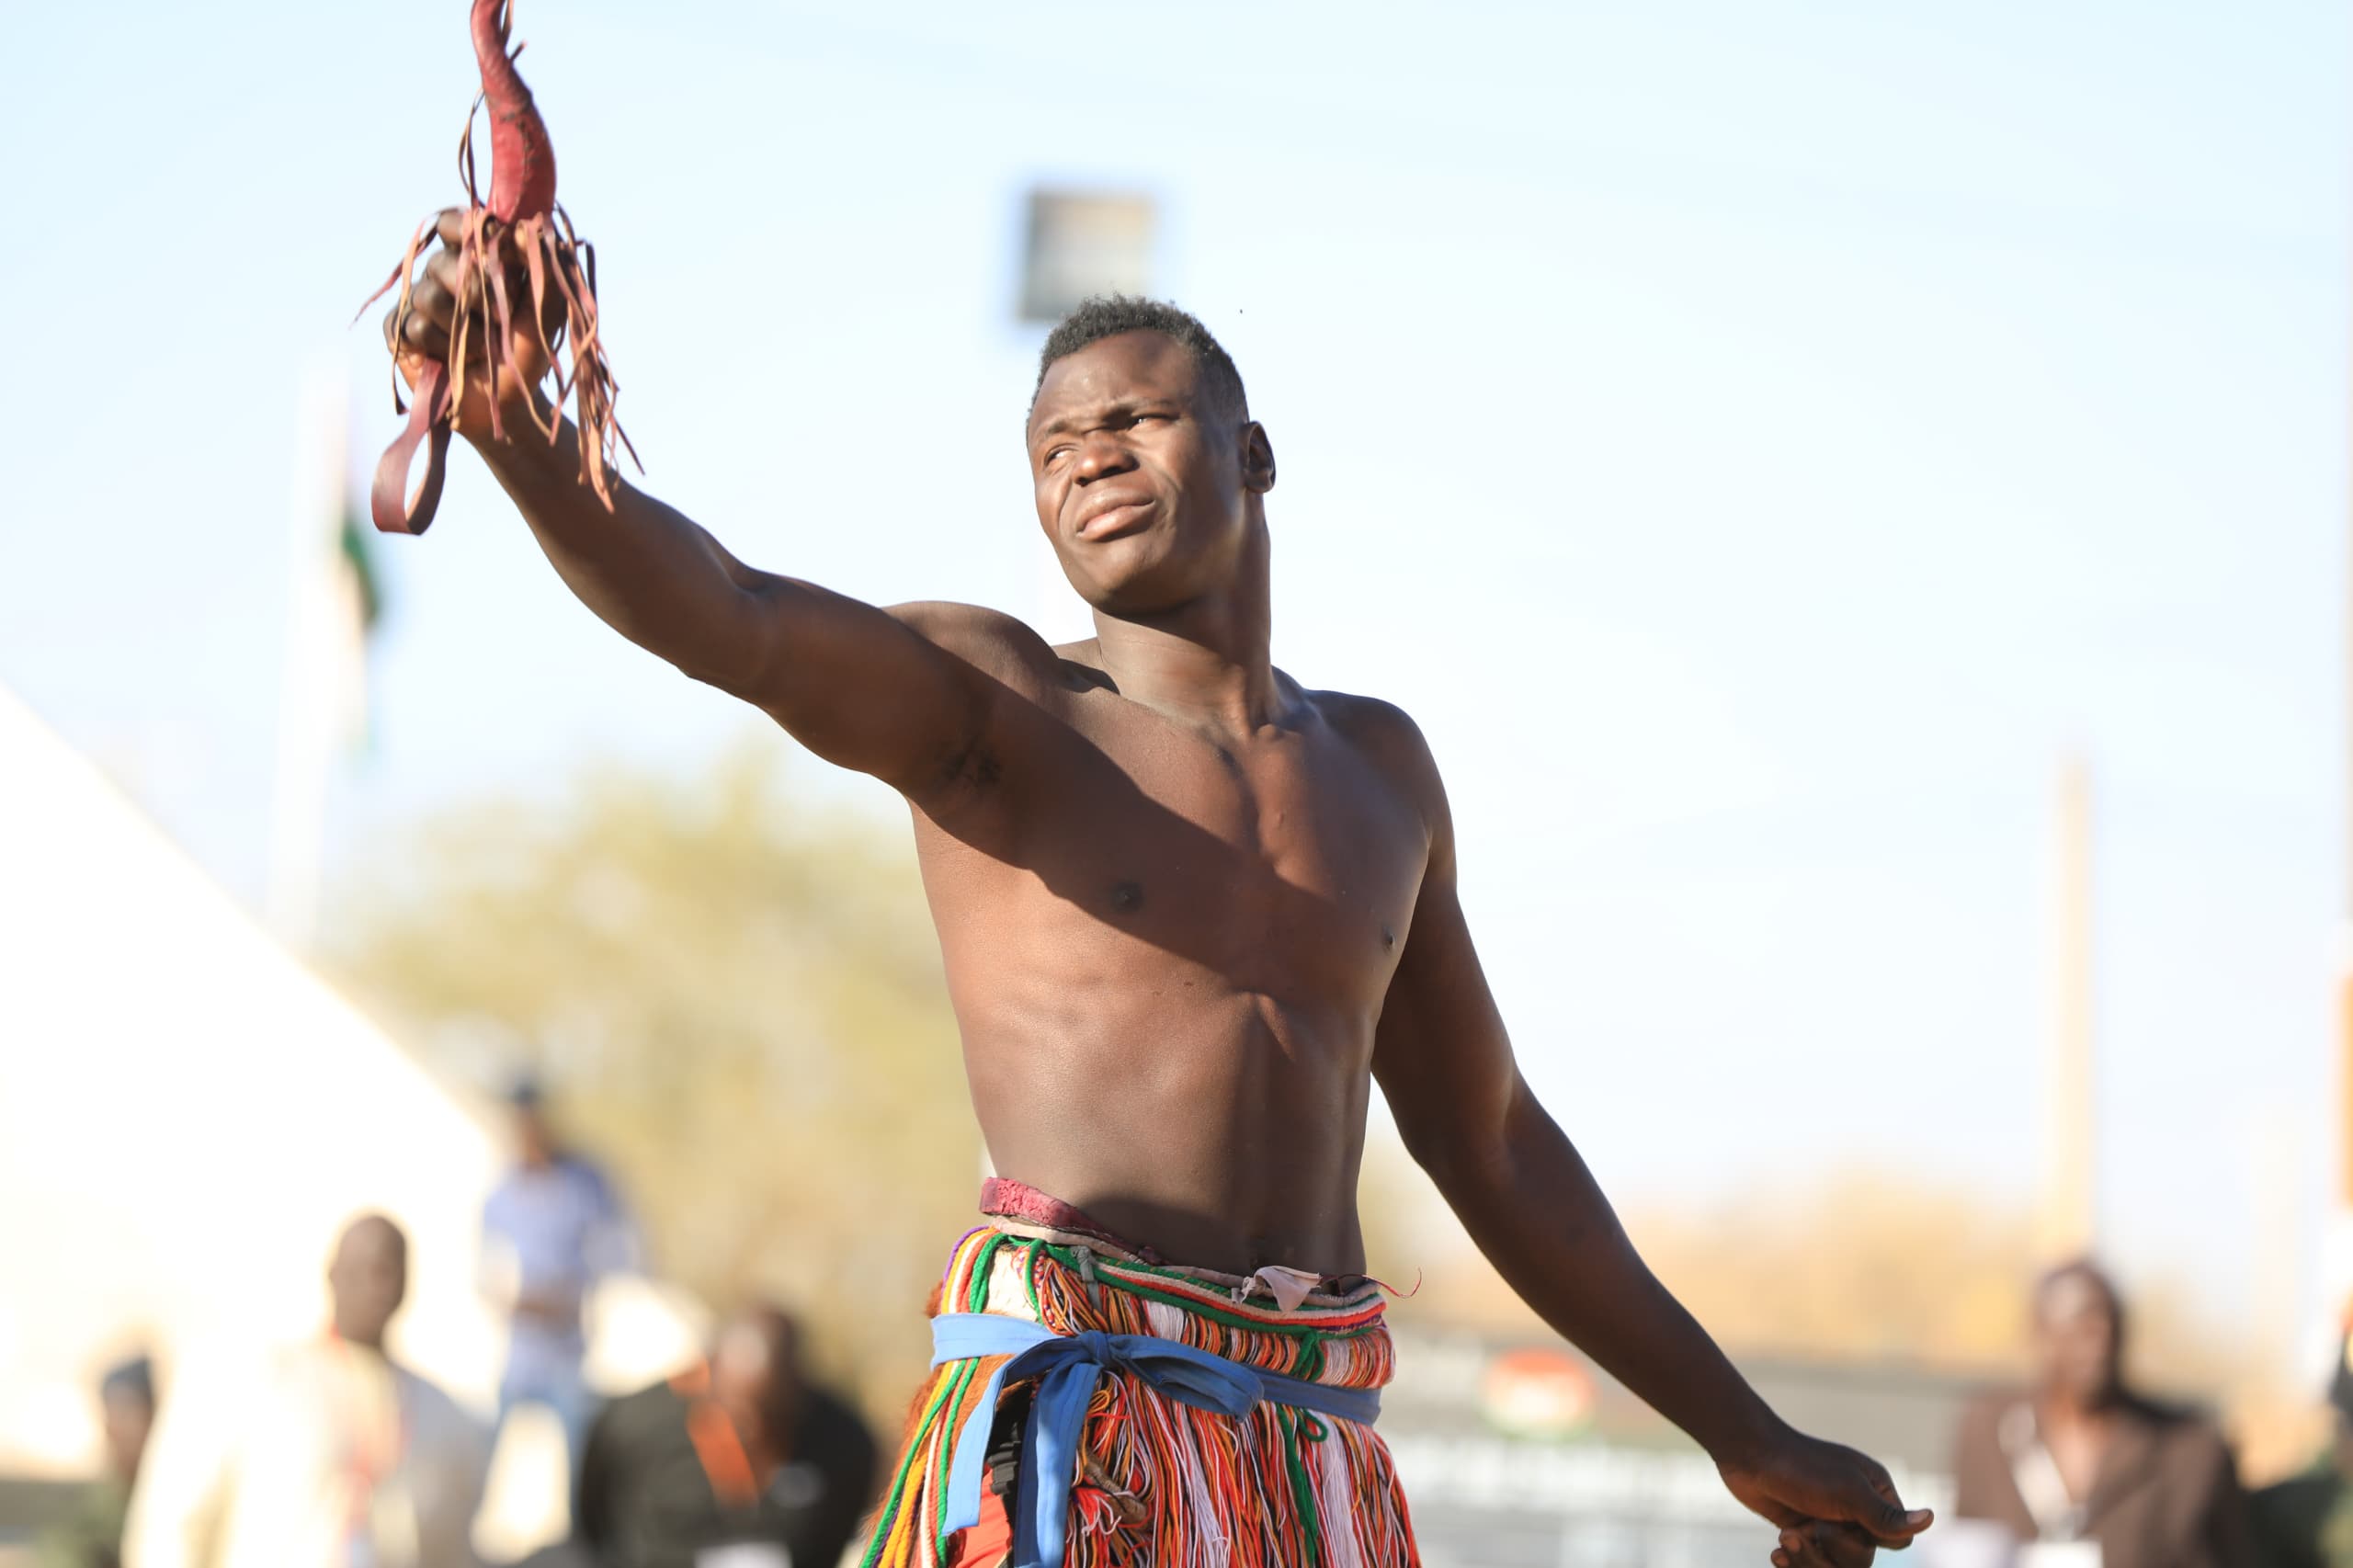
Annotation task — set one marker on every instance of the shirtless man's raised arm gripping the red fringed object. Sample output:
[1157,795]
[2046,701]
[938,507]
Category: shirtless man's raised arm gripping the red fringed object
[851,682]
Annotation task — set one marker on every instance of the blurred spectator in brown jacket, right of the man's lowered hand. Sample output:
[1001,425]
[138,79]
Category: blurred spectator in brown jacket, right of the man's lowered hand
[2086,1473]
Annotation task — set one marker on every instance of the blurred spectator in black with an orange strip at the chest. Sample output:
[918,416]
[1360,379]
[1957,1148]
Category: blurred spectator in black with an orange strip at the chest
[738,1461]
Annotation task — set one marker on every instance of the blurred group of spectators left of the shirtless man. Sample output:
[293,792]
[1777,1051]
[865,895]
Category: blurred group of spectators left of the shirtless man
[338,1456]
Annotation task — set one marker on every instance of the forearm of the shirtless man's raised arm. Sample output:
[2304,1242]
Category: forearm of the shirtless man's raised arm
[646,569]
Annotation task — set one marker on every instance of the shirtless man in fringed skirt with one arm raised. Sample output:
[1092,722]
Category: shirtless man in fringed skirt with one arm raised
[1189,912]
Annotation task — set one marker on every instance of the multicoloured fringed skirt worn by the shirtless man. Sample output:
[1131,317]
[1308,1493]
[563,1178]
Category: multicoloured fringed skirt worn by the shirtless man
[1161,1484]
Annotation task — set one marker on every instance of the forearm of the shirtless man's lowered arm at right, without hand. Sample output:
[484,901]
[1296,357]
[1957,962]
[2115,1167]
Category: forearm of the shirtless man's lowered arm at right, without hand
[1542,1218]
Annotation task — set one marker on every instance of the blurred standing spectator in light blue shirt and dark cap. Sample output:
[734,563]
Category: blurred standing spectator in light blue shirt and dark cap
[549,1233]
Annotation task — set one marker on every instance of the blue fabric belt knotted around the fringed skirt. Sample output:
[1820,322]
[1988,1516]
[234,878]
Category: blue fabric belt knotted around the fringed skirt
[1067,1369]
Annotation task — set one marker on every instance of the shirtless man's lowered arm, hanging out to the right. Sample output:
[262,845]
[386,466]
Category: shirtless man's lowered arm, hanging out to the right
[1538,1214]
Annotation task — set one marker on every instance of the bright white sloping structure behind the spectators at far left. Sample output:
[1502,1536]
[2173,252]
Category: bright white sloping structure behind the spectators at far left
[187,1117]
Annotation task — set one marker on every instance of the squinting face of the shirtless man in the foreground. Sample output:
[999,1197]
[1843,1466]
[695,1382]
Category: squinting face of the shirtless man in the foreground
[1140,474]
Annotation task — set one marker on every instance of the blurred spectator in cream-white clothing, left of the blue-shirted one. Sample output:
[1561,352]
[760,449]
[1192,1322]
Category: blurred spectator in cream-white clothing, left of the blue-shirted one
[333,1459]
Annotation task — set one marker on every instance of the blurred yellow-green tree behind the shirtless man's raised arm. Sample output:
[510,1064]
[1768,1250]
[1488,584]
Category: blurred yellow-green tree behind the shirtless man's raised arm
[738,1004]
